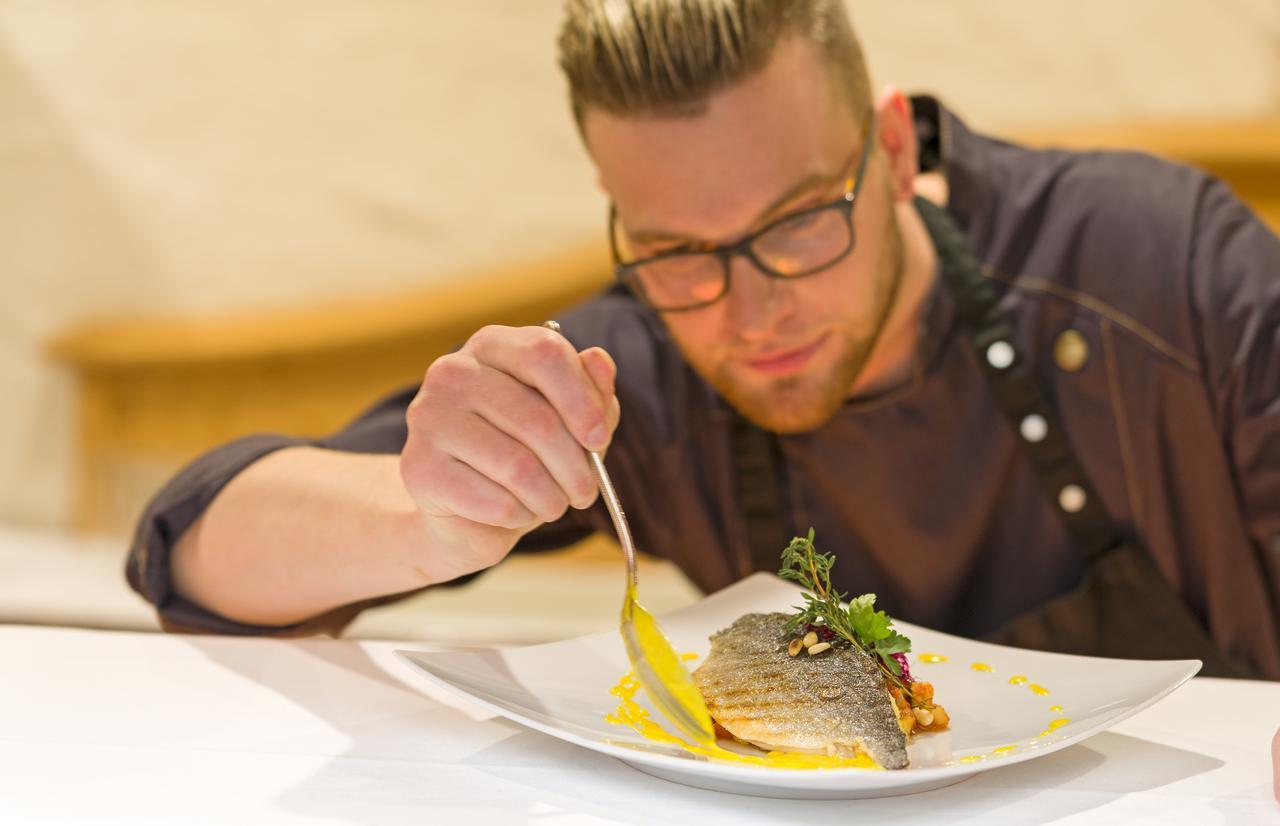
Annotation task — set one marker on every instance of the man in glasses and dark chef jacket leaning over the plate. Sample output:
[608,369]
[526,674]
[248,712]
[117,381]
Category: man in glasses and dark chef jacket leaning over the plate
[1060,428]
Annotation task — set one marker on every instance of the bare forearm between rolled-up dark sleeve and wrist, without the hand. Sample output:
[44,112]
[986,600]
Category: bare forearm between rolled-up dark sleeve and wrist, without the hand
[301,532]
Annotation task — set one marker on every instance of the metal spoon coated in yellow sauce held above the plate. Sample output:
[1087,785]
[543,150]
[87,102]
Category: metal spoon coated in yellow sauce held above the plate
[656,664]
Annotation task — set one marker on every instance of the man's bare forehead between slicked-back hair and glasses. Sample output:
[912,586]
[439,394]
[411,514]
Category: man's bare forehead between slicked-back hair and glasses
[712,175]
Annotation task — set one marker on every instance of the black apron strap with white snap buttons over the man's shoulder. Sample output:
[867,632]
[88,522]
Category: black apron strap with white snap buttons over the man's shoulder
[1009,375]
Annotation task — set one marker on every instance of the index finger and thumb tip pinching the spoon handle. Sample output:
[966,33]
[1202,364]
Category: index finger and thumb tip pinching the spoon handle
[547,362]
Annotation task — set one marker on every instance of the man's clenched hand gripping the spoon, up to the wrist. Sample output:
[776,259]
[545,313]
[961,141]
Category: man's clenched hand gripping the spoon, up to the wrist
[496,442]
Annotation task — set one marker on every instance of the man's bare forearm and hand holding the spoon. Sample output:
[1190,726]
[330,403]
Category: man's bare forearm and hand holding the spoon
[495,450]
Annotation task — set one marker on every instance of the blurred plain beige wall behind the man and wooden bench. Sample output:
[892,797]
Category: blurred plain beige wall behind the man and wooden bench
[199,157]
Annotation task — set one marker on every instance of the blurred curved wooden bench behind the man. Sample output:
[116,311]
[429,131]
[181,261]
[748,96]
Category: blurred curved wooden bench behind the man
[157,393]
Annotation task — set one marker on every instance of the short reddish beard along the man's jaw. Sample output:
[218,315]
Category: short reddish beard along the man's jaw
[806,401]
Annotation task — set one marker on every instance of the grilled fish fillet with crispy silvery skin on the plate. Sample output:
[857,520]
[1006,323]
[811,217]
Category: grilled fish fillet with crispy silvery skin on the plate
[831,704]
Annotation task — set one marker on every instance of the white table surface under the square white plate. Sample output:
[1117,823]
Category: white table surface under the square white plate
[135,728]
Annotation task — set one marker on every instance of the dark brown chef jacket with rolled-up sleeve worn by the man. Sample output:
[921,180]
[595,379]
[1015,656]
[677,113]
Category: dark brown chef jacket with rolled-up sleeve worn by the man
[1145,296]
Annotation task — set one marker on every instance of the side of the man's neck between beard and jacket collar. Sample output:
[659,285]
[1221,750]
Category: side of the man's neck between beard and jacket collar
[894,355]
